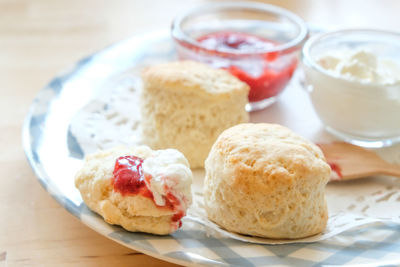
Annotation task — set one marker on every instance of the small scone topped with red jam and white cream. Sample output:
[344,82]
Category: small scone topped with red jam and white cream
[138,188]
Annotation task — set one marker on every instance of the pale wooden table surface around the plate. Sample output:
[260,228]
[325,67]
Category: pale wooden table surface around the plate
[40,38]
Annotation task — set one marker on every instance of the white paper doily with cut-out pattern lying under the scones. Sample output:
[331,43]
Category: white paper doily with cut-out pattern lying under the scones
[112,118]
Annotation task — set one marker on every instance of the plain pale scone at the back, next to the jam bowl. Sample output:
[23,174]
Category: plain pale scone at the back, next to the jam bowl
[185,105]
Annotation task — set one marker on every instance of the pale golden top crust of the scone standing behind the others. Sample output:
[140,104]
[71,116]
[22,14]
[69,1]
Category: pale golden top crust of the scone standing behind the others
[192,76]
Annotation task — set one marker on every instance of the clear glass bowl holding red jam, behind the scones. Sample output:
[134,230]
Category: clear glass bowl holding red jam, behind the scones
[258,43]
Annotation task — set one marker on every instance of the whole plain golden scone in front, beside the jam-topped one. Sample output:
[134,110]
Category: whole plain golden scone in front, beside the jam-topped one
[264,180]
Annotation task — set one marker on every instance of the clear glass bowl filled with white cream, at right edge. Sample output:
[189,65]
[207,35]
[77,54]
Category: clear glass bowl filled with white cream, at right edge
[353,79]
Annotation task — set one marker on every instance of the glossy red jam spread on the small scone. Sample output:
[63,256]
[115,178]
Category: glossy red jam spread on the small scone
[129,179]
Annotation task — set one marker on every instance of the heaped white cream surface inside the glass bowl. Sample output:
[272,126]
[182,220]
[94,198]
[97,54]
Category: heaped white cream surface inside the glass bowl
[361,65]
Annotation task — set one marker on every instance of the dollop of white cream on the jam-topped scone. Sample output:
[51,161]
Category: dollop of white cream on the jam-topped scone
[170,172]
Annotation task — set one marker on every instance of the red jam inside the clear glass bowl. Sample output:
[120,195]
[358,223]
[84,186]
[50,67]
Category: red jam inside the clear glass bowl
[271,80]
